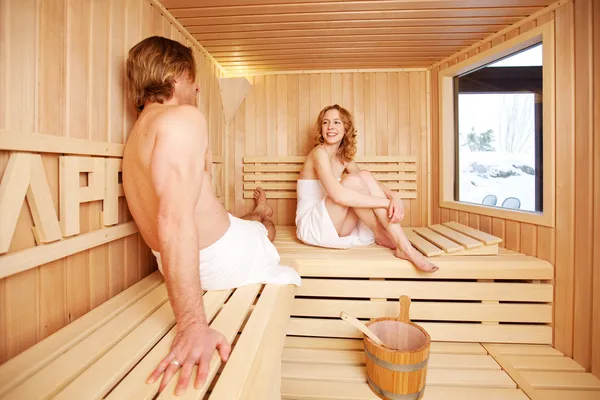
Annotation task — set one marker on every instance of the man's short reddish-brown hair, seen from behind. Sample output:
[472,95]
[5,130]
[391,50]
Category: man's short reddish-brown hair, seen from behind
[152,67]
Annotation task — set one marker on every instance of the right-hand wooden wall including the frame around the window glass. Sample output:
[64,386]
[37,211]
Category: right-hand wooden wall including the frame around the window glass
[573,245]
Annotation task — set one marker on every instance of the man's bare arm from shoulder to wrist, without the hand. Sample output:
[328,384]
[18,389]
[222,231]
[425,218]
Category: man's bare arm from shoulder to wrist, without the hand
[177,171]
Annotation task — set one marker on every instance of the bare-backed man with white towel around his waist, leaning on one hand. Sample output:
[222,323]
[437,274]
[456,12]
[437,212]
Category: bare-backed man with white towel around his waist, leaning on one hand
[167,184]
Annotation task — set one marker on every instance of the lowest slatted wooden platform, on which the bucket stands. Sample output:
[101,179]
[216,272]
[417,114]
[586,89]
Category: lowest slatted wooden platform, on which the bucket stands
[322,368]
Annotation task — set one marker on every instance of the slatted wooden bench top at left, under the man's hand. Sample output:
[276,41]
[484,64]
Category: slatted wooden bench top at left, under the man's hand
[111,350]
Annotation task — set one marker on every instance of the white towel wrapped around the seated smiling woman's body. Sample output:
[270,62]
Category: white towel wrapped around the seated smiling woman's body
[313,224]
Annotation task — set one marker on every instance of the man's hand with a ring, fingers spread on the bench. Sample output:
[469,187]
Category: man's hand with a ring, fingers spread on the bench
[192,345]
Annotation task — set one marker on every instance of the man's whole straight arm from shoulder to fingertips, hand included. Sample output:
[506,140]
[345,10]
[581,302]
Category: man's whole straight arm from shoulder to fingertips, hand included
[177,170]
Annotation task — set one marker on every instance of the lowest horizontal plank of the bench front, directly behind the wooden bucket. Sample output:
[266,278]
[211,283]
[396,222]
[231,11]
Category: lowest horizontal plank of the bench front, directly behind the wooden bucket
[452,332]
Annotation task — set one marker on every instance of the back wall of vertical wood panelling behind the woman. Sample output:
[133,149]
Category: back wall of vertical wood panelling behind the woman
[278,118]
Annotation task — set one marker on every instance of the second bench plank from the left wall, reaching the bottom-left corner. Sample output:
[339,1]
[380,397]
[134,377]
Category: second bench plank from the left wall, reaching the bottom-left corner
[62,369]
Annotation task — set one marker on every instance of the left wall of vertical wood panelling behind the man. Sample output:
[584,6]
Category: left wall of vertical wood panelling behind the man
[61,73]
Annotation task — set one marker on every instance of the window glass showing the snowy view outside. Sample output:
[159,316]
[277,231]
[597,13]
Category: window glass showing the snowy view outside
[498,132]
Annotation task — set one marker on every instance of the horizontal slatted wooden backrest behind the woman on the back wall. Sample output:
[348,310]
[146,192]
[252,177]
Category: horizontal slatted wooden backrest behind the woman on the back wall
[278,175]
